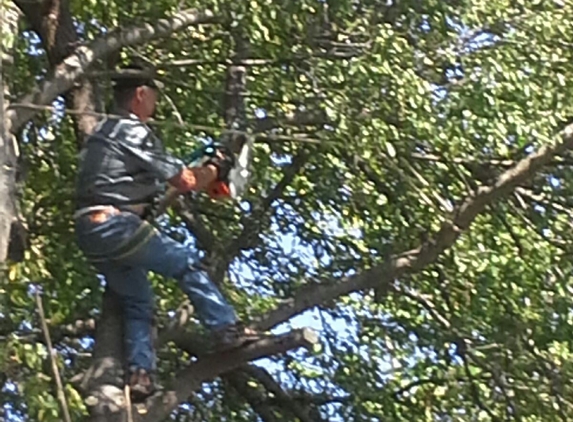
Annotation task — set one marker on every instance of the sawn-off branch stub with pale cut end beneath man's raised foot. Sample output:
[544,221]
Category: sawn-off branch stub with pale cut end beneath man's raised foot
[210,366]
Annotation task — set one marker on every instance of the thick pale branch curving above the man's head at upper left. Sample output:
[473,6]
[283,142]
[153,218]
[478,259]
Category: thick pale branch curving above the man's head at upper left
[75,65]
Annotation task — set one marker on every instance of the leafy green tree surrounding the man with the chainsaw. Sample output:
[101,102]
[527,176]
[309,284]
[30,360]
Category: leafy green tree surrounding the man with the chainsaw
[409,200]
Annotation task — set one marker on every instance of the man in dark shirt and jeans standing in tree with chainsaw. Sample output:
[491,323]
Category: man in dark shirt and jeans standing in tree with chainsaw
[122,170]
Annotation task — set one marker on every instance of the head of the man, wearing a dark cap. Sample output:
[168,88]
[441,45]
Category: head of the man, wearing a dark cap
[136,91]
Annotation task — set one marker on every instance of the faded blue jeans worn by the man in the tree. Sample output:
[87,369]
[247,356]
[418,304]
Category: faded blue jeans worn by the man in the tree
[125,271]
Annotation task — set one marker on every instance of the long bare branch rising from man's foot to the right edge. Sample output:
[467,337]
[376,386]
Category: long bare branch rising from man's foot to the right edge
[416,259]
